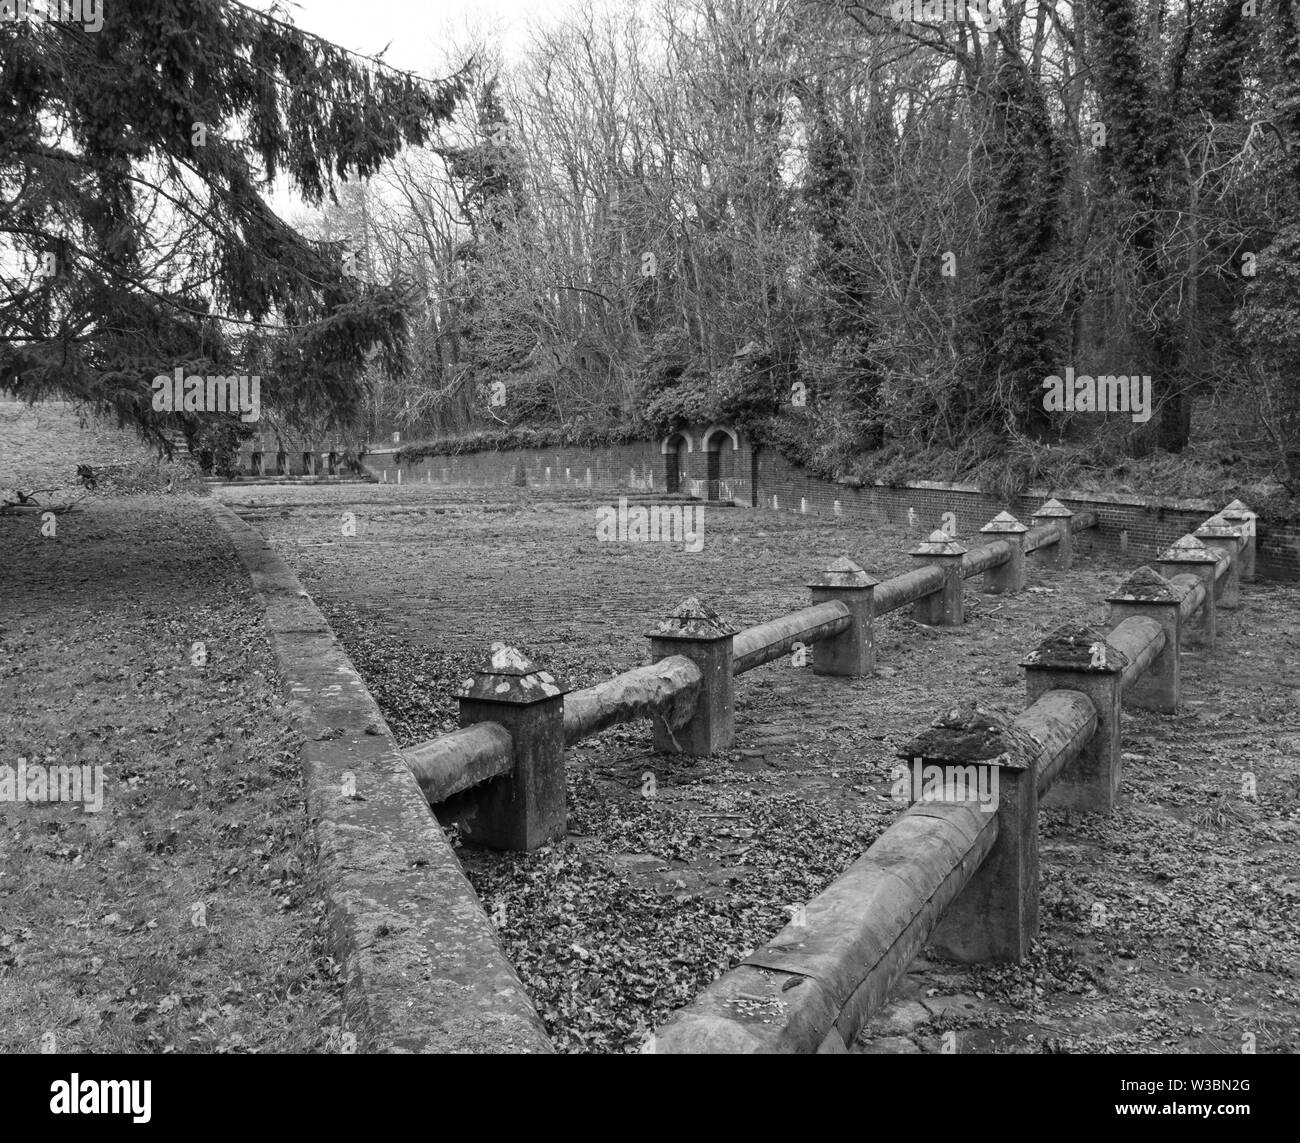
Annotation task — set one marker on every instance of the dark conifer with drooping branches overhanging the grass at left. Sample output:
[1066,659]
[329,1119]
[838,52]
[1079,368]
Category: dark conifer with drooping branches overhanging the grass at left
[135,231]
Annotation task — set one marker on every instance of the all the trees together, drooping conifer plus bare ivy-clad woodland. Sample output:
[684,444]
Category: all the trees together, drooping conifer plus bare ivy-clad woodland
[1117,185]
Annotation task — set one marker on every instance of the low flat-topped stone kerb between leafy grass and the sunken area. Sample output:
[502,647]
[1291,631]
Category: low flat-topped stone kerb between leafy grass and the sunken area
[423,968]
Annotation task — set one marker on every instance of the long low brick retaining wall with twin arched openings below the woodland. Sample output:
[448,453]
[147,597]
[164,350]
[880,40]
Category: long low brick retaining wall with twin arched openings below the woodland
[1130,526]
